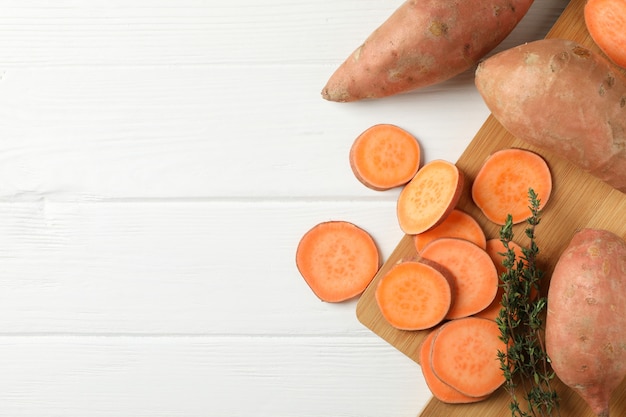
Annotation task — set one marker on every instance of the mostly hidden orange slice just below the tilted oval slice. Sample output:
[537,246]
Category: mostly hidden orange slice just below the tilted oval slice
[457,224]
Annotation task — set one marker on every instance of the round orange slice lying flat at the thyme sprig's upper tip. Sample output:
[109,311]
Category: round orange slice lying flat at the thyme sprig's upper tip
[502,184]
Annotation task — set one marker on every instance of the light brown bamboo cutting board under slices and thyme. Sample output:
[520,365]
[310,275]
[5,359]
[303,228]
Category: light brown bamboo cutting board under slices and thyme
[578,200]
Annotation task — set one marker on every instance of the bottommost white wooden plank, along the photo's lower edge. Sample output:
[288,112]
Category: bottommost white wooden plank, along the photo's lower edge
[204,376]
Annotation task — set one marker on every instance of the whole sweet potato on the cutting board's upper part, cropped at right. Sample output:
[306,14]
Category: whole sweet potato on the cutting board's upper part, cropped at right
[564,98]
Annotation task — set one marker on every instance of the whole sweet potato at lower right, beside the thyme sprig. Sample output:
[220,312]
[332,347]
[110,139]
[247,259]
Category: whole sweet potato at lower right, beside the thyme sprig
[586,317]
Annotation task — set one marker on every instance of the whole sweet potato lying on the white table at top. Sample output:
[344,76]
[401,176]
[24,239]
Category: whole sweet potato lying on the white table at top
[422,43]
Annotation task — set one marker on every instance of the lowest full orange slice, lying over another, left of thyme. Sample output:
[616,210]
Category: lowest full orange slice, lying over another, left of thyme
[464,356]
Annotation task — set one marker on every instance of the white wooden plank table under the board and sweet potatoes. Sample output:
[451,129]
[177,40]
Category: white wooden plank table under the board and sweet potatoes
[159,160]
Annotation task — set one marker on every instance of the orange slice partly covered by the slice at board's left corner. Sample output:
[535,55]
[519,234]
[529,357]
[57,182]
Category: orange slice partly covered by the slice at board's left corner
[474,274]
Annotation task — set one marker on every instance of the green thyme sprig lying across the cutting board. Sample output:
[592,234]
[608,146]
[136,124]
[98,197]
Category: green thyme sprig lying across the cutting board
[525,363]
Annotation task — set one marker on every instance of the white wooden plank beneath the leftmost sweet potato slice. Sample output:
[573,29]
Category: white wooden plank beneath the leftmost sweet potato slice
[171,267]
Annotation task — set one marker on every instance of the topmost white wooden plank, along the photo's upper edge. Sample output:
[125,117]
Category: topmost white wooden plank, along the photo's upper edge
[34,33]
